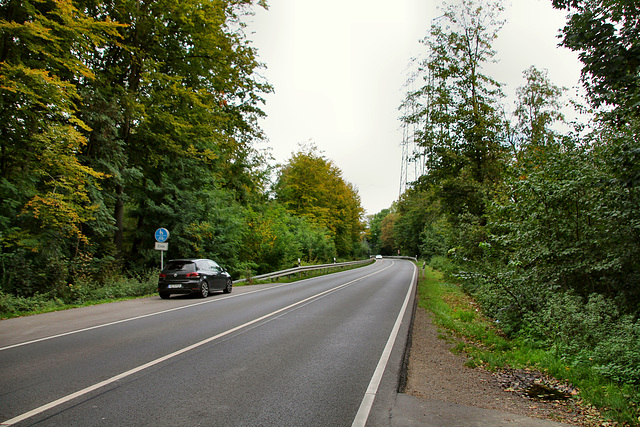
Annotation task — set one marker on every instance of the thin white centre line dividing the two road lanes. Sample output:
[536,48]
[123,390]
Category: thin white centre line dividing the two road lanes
[118,377]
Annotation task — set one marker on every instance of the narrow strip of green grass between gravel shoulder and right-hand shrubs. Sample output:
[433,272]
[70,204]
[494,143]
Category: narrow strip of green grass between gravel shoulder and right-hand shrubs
[478,337]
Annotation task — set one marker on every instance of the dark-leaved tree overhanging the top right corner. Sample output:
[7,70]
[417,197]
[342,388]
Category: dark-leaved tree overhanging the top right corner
[606,34]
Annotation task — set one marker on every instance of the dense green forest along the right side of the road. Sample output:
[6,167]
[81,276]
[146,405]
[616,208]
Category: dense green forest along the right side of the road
[537,217]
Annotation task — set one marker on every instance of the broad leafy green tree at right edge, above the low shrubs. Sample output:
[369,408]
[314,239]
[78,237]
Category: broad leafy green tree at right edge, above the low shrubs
[567,226]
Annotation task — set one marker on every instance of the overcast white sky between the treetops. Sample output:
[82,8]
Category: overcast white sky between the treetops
[339,68]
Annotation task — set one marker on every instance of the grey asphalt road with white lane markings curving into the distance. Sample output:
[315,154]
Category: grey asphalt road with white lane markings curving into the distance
[318,352]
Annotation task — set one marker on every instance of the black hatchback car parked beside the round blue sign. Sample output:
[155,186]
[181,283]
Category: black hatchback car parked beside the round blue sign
[193,276]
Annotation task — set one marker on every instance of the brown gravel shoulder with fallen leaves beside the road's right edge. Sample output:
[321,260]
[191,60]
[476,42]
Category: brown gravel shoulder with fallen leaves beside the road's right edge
[435,374]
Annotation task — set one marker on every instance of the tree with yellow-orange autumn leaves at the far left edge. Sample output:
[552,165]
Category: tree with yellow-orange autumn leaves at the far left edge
[46,191]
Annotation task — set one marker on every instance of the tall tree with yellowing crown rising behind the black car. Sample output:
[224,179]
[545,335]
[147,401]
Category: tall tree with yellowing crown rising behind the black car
[174,116]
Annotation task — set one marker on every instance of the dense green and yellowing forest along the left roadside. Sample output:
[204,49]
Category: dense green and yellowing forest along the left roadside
[121,117]
